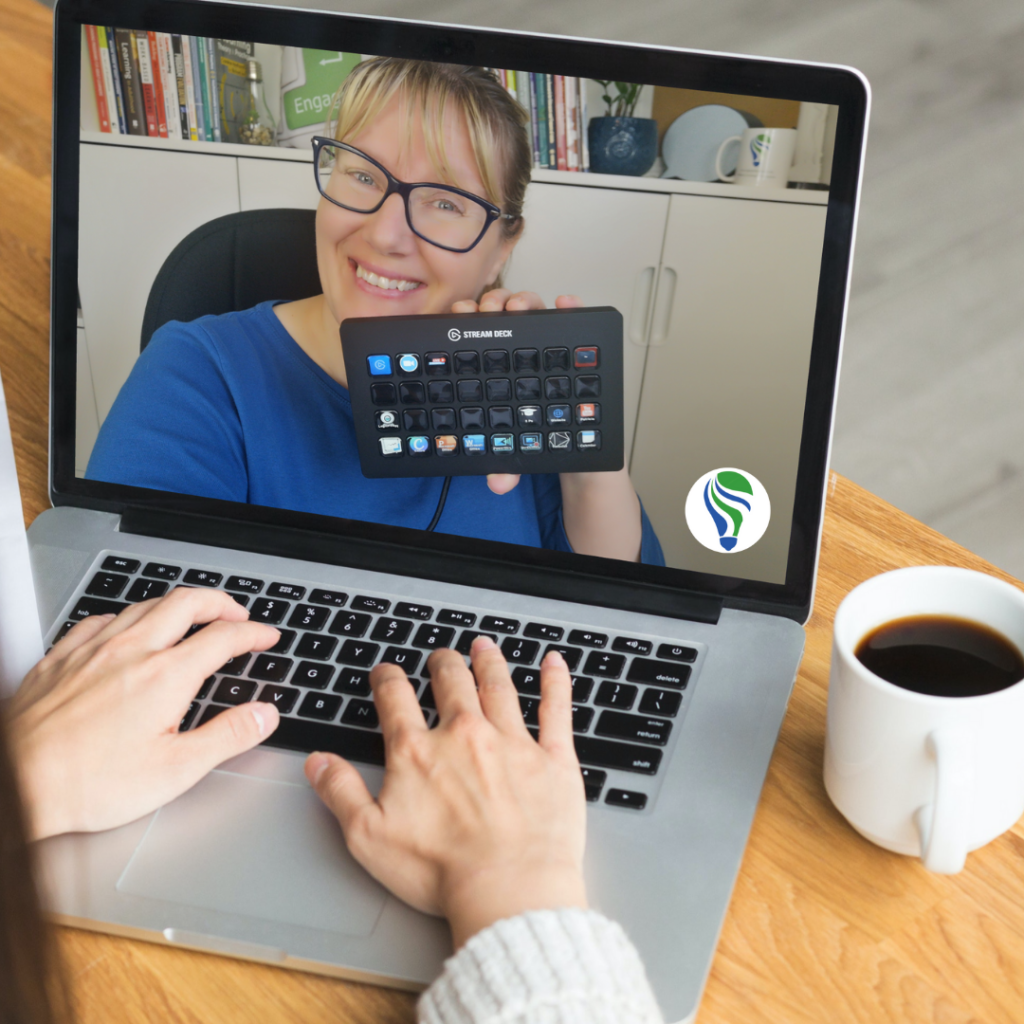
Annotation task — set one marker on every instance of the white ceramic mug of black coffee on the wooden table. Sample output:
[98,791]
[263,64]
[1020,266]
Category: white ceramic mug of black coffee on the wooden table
[924,776]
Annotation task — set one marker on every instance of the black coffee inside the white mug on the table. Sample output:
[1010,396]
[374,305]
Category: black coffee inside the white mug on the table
[942,656]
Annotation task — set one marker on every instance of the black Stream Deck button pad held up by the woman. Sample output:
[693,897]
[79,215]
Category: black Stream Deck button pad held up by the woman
[465,395]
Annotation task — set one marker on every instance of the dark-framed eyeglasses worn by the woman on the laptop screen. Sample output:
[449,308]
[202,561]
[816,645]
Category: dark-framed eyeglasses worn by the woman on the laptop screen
[448,218]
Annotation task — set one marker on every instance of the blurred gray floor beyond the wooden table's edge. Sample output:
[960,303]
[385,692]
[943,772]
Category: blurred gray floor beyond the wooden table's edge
[930,416]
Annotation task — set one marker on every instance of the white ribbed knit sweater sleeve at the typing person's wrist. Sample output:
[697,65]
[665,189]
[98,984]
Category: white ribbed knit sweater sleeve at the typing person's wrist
[556,967]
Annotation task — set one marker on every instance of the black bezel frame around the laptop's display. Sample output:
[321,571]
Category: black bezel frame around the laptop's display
[579,578]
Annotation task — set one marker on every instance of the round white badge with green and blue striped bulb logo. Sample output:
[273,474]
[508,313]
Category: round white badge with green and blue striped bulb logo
[729,510]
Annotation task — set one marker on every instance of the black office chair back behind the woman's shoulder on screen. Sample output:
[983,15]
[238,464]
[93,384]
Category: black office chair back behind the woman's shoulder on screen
[235,263]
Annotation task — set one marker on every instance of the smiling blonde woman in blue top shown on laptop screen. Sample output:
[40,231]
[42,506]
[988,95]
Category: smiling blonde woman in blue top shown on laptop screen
[253,407]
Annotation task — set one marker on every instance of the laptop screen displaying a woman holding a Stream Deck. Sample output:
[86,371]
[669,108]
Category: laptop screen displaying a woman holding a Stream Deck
[316,281]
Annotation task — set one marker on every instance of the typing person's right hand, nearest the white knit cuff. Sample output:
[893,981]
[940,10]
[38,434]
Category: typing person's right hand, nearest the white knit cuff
[476,821]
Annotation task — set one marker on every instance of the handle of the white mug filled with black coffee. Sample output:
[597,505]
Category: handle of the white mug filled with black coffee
[943,824]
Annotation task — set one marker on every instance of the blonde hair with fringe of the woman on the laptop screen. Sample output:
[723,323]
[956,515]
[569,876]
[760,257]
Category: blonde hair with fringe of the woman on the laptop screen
[497,124]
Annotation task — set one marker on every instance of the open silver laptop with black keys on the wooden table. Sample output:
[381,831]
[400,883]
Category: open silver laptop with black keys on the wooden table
[721,308]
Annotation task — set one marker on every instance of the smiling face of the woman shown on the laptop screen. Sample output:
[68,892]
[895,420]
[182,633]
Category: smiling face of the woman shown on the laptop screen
[373,265]
